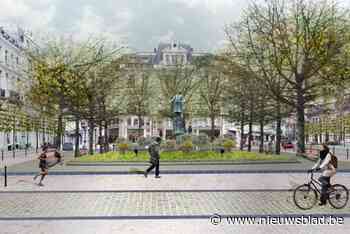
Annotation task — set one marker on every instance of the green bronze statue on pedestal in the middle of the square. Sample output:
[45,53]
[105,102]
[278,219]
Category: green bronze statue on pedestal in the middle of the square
[178,120]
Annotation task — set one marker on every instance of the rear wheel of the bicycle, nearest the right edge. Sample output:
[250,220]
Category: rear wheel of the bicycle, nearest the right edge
[338,196]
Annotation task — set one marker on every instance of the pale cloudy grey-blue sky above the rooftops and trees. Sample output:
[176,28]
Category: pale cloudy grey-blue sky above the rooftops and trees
[141,24]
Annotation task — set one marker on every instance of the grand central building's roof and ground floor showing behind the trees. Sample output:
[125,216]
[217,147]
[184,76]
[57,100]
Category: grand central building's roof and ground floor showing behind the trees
[165,56]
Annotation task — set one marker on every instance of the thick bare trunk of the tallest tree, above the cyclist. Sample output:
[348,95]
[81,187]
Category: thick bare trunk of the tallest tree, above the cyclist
[300,117]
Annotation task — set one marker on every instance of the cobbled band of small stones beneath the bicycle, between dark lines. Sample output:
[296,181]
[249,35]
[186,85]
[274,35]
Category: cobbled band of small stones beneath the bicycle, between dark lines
[151,204]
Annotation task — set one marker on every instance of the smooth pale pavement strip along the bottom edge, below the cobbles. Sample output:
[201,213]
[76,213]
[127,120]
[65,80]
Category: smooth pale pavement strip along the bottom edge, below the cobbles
[199,226]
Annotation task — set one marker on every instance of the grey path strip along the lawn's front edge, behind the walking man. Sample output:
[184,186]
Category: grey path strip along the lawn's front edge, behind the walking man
[31,167]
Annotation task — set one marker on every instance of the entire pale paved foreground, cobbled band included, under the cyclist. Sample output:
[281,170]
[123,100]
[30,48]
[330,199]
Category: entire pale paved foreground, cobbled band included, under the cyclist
[173,204]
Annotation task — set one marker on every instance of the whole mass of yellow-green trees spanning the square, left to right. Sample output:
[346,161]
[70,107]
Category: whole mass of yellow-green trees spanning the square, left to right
[282,57]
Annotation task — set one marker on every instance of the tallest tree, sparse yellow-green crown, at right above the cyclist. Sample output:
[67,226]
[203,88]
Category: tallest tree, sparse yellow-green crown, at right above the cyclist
[294,40]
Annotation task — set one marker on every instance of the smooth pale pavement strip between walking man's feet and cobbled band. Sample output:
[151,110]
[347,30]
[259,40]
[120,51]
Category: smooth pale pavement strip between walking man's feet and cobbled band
[167,182]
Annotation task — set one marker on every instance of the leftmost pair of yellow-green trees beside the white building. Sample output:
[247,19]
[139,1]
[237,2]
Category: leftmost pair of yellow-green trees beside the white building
[60,77]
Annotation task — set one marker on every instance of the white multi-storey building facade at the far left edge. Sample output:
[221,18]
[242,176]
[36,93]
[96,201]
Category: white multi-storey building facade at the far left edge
[15,131]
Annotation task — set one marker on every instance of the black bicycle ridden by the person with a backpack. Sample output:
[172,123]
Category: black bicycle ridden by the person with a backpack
[305,196]
